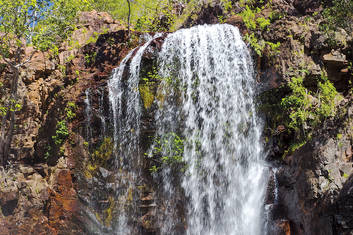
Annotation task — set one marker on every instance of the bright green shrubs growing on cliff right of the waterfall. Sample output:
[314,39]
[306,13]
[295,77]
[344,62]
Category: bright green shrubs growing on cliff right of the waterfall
[297,110]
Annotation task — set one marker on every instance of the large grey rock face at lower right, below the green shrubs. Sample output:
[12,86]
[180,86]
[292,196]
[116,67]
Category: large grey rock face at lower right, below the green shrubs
[314,183]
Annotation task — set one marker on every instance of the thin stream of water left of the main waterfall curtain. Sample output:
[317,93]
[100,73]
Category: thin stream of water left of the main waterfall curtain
[126,108]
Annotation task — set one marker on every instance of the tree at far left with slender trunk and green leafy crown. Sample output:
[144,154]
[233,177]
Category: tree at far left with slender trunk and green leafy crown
[42,23]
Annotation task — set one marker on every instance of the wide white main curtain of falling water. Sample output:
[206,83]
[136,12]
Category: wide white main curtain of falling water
[226,177]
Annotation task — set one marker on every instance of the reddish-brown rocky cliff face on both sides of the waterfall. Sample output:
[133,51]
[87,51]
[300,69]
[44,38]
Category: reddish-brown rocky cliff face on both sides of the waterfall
[48,188]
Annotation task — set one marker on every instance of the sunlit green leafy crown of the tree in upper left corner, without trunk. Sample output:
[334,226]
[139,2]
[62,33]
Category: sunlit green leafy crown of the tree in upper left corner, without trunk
[45,24]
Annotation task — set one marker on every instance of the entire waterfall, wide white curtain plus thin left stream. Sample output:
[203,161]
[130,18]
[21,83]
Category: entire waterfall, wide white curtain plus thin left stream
[206,120]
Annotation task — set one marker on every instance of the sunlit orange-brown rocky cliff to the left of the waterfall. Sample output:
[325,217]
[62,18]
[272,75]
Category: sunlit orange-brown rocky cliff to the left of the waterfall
[39,191]
